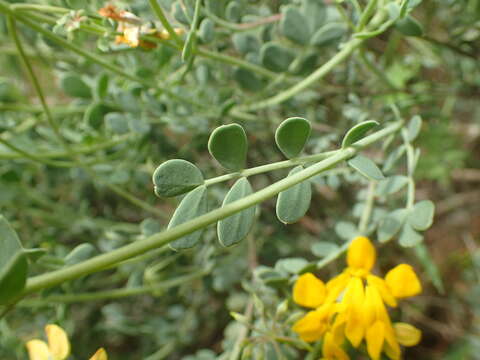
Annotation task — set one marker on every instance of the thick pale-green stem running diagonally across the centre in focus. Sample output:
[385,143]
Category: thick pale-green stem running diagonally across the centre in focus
[106,260]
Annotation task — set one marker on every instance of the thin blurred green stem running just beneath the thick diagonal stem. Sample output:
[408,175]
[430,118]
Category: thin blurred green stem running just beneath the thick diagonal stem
[113,294]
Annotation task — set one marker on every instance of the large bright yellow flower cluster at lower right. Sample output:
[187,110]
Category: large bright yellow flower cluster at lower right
[353,306]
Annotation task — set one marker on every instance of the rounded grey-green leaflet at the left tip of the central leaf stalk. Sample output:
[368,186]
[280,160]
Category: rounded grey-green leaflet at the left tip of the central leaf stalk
[175,177]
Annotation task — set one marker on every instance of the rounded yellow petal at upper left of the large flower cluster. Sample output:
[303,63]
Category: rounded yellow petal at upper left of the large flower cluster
[309,291]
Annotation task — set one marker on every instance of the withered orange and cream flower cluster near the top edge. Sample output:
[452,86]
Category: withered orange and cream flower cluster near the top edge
[131,28]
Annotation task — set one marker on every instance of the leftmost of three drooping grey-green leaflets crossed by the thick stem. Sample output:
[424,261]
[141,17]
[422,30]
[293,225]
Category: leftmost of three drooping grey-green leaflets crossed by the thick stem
[193,205]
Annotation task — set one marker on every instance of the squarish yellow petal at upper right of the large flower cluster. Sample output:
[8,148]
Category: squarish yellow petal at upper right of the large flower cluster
[403,282]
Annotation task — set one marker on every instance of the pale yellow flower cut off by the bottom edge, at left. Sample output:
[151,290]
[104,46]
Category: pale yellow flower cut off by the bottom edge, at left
[57,348]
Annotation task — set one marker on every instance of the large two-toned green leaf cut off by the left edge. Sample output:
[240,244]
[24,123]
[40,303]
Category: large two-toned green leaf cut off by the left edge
[13,263]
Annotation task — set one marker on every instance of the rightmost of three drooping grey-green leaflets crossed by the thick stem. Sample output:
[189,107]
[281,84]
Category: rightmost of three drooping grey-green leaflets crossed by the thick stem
[292,204]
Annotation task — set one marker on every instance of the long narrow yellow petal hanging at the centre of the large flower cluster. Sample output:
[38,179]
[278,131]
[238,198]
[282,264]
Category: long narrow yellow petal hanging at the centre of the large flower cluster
[354,299]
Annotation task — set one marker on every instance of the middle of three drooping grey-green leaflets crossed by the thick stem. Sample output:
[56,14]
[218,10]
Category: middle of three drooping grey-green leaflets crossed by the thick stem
[235,228]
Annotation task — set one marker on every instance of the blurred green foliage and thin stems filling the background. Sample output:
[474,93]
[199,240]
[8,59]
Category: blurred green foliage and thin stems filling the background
[124,110]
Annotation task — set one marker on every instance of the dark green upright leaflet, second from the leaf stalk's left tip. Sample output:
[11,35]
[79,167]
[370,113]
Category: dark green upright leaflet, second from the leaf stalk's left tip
[228,145]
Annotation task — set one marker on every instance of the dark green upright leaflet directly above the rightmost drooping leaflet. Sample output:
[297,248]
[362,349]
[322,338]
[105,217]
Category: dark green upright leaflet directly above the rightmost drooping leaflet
[292,135]
